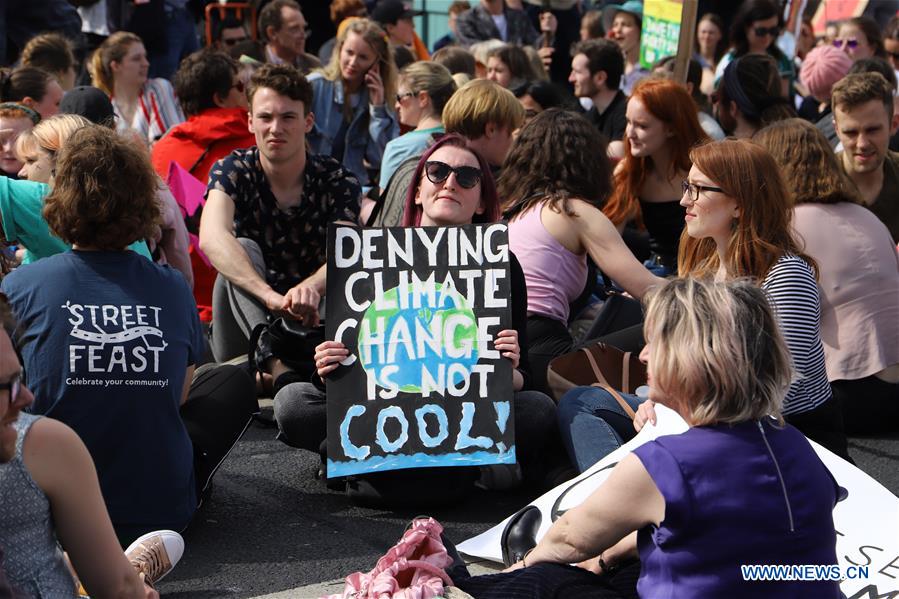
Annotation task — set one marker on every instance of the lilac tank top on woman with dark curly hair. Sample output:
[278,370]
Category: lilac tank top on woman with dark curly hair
[554,275]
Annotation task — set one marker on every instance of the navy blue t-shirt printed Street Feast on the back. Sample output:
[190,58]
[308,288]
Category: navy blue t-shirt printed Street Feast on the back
[107,340]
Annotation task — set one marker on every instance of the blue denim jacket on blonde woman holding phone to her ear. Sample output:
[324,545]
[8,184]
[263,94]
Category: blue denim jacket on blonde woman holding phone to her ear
[361,145]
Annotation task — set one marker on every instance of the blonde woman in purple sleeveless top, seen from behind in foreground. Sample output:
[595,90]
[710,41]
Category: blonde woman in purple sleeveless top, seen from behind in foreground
[739,487]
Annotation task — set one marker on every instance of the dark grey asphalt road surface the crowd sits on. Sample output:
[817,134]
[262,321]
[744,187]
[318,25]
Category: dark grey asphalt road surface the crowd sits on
[270,527]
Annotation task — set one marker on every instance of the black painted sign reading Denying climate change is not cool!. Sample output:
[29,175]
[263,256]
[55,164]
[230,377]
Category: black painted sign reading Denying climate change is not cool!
[418,308]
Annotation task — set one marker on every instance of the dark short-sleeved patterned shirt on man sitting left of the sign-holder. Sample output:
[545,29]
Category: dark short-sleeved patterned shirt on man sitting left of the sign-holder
[293,241]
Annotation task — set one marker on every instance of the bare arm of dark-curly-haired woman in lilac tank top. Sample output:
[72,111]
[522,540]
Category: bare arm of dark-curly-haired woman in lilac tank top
[599,237]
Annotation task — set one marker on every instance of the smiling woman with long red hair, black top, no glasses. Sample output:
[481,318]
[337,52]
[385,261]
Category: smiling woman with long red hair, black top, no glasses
[662,126]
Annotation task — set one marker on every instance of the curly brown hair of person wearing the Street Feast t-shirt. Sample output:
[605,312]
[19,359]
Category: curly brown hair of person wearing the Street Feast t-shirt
[104,192]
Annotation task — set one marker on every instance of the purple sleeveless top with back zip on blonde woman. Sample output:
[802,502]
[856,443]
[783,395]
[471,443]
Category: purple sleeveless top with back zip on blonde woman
[750,493]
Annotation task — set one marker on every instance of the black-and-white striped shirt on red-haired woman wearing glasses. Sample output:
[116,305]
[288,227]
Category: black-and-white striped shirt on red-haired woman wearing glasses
[793,292]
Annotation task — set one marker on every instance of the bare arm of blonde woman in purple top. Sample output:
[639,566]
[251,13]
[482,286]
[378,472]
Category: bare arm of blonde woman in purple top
[627,501]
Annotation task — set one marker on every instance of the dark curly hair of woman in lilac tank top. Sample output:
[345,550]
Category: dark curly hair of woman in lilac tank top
[557,156]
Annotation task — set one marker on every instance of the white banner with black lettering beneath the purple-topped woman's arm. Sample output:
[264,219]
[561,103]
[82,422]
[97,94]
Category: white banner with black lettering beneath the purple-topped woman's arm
[866,519]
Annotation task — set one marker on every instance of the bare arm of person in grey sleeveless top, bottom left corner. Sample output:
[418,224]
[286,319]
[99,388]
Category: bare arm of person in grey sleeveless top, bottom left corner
[61,466]
